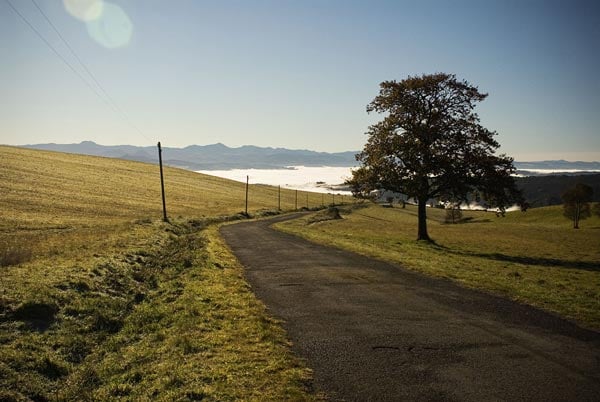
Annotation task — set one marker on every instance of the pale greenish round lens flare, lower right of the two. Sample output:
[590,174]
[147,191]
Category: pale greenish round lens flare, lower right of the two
[111,29]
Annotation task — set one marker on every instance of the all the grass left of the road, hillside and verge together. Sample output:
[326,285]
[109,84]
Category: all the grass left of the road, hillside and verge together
[101,300]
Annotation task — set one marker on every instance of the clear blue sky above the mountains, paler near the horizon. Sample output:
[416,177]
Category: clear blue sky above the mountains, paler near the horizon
[293,74]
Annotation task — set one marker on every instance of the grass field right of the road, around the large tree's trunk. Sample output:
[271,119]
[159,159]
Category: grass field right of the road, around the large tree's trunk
[534,257]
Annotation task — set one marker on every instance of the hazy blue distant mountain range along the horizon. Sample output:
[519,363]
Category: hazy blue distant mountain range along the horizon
[222,157]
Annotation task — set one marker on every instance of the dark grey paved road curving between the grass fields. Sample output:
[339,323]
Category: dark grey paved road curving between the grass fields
[373,331]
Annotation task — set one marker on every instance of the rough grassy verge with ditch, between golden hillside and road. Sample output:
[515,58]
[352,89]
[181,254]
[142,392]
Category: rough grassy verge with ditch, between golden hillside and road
[168,318]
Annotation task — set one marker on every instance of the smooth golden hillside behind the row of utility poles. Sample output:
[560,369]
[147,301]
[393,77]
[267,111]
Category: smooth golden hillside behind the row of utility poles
[45,188]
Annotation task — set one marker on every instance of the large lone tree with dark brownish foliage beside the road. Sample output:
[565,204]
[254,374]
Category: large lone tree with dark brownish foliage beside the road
[431,145]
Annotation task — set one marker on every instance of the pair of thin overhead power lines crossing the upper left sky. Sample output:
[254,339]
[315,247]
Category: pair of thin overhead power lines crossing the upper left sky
[106,99]
